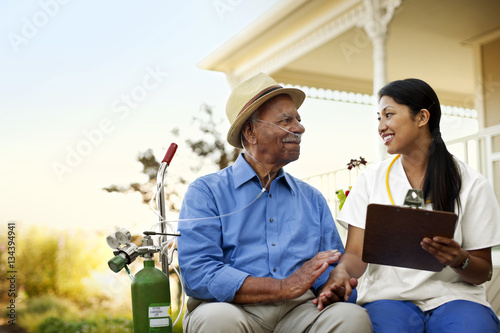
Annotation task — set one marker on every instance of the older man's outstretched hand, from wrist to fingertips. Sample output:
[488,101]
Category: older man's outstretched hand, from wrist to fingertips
[299,282]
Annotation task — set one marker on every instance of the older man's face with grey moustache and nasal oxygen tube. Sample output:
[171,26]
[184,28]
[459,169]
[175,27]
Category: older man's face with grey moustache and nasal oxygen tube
[274,144]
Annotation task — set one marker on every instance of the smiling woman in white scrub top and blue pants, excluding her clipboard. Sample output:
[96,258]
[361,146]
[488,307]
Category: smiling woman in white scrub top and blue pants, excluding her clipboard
[409,300]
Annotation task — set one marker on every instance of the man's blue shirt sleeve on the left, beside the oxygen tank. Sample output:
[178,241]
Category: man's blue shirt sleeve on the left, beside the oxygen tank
[204,273]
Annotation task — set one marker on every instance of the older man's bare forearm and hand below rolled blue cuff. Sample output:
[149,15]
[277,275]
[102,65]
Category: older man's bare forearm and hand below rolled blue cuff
[260,290]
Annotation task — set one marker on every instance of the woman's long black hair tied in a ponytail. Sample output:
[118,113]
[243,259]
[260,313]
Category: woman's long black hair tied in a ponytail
[442,181]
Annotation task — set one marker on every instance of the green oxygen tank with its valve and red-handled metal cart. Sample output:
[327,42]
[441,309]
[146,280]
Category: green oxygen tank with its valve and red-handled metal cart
[150,286]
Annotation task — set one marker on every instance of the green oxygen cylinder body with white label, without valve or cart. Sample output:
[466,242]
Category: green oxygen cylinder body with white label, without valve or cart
[151,300]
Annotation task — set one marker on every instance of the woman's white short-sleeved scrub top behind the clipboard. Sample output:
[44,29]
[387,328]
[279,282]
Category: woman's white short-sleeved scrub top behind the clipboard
[478,227]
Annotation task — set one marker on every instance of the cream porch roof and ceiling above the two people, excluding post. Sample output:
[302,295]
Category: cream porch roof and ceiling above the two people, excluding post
[322,43]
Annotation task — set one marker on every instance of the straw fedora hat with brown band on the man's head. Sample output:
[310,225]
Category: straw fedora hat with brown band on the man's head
[248,96]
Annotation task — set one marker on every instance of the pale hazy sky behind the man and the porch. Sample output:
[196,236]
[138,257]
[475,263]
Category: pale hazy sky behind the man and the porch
[87,85]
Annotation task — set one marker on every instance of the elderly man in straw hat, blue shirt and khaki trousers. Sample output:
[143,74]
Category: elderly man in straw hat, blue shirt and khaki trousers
[257,244]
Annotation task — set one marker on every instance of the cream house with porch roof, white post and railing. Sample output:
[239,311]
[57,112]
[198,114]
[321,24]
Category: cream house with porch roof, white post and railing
[359,45]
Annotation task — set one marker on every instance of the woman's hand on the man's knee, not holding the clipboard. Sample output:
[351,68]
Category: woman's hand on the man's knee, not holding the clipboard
[338,288]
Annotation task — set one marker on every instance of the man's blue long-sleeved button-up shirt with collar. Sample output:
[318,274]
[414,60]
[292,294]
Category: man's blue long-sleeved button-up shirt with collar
[272,237]
